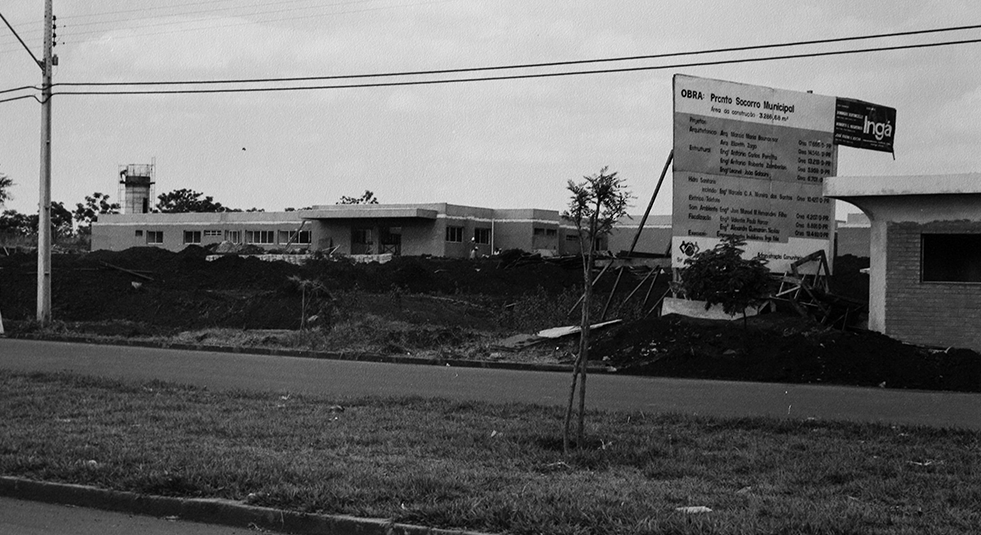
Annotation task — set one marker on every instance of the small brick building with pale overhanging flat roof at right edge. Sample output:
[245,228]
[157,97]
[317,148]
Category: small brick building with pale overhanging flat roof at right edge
[925,253]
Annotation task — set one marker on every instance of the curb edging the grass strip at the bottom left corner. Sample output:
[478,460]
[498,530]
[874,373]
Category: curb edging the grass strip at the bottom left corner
[208,511]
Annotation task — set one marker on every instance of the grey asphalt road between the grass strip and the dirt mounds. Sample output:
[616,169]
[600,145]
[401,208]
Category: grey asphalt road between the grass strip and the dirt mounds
[347,379]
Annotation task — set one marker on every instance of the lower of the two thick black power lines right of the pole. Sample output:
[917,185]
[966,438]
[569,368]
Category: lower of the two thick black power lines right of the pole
[518,76]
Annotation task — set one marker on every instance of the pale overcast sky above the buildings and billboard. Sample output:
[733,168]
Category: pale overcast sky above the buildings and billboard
[499,144]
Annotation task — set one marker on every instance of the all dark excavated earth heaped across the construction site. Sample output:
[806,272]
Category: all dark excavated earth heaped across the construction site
[148,291]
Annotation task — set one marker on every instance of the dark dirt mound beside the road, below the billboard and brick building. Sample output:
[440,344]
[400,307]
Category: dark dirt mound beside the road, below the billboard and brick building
[782,348]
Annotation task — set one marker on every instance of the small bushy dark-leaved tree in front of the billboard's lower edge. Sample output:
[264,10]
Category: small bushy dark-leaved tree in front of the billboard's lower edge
[722,276]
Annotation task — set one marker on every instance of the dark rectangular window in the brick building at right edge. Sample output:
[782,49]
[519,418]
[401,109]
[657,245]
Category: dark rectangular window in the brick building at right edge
[951,257]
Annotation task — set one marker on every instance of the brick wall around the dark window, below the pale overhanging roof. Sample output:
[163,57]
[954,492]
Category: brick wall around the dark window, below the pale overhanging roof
[932,314]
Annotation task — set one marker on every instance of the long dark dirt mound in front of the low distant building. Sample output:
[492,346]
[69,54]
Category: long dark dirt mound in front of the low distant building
[185,291]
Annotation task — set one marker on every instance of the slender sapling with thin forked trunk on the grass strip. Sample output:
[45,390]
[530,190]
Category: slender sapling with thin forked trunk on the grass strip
[596,205]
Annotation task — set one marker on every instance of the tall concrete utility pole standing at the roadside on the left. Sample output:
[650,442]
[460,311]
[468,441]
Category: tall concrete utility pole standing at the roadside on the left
[44,199]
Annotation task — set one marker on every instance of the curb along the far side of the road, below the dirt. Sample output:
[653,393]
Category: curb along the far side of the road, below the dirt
[323,355]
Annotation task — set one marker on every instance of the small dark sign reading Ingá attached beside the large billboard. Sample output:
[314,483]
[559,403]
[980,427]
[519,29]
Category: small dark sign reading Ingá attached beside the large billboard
[864,125]
